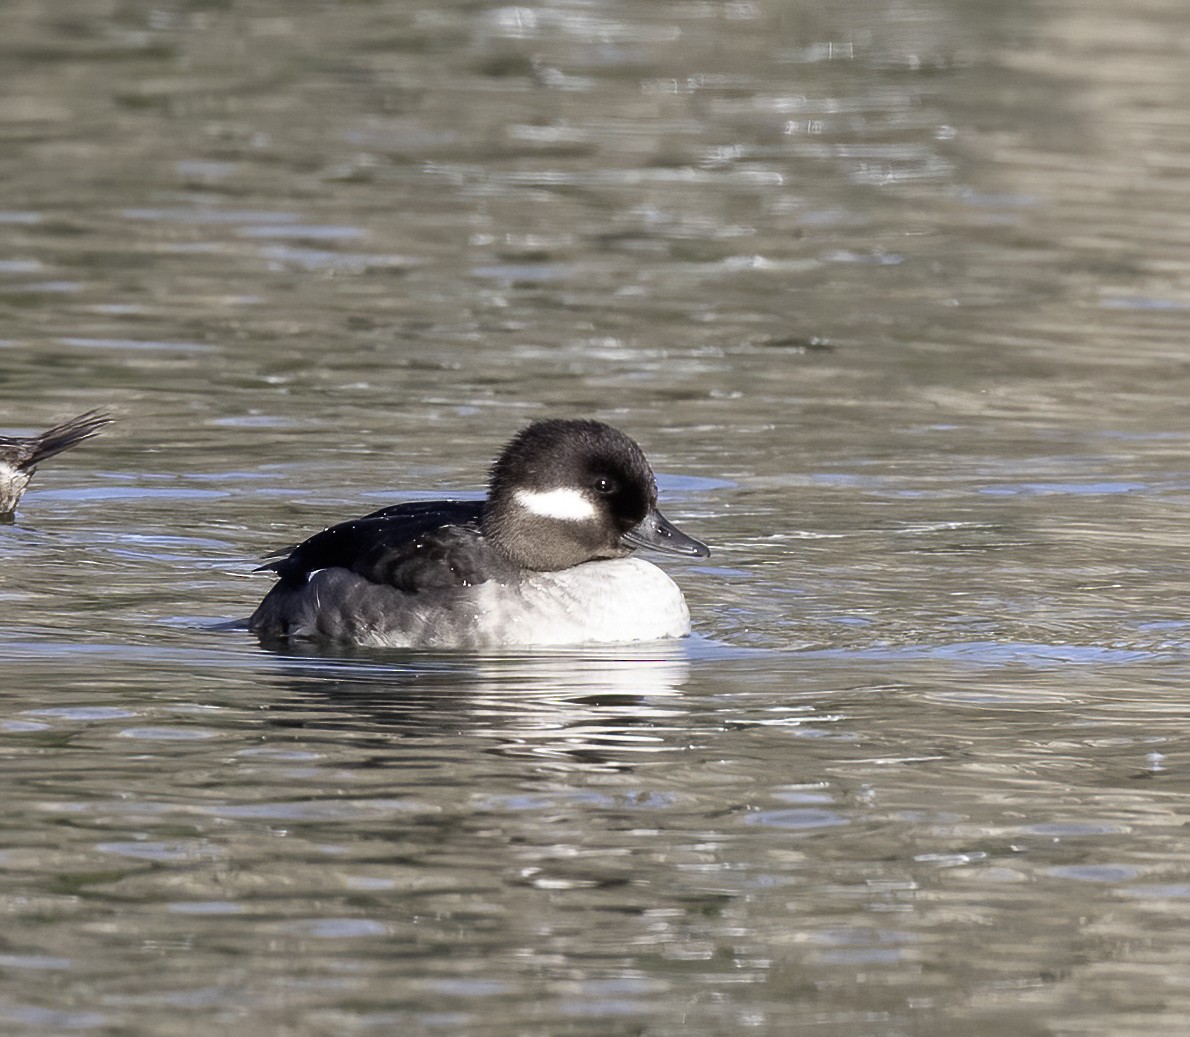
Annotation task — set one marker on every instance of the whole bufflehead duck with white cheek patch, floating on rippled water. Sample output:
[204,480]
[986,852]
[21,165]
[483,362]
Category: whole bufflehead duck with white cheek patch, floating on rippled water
[543,561]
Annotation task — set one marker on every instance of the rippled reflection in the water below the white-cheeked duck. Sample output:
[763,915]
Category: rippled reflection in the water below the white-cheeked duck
[598,707]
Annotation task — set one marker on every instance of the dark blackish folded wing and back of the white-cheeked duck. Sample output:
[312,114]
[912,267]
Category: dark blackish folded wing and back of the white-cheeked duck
[412,547]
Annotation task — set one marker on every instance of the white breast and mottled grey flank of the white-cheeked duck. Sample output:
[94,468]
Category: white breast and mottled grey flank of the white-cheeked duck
[616,601]
